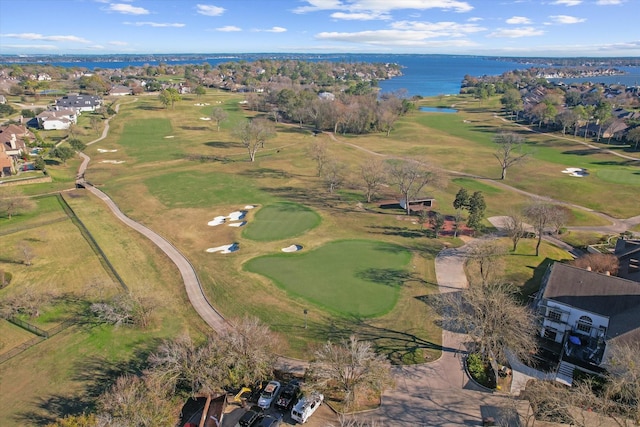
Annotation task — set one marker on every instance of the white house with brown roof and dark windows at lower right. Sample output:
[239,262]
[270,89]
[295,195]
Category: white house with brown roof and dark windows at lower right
[585,313]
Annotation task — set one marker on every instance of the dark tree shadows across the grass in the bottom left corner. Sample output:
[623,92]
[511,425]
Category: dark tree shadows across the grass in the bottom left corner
[98,374]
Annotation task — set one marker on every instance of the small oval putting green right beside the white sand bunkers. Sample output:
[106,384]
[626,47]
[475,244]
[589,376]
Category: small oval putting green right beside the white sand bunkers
[281,221]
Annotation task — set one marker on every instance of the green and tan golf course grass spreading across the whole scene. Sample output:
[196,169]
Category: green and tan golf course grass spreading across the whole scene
[346,277]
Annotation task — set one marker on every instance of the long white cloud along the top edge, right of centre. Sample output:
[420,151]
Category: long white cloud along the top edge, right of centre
[382,6]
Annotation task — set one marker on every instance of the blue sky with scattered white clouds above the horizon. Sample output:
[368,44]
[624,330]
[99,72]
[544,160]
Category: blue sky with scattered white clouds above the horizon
[477,27]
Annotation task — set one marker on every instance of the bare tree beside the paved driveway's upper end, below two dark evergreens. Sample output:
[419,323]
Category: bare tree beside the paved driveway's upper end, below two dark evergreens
[486,261]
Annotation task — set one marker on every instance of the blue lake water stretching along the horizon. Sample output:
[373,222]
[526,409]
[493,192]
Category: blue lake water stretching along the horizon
[423,75]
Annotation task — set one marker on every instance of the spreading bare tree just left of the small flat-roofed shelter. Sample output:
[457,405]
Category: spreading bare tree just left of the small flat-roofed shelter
[411,176]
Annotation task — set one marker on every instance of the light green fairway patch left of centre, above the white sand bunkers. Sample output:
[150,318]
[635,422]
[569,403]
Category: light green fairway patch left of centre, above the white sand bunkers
[192,189]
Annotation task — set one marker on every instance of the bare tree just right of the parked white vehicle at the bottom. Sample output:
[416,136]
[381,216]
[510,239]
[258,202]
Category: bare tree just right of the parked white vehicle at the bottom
[352,367]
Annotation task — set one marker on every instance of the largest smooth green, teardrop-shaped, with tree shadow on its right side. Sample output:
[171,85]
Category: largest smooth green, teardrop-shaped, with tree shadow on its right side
[350,278]
